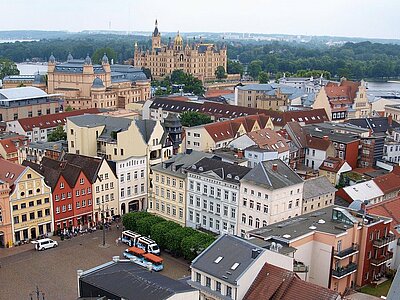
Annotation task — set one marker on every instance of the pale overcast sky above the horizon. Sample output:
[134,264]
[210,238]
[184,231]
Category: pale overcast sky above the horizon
[353,18]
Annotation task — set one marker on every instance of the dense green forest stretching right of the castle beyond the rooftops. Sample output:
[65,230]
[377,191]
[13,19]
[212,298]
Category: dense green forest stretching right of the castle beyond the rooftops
[352,60]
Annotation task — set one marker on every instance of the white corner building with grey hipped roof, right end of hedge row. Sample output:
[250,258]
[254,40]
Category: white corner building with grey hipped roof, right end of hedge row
[269,193]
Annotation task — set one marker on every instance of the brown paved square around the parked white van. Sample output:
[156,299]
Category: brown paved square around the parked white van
[54,271]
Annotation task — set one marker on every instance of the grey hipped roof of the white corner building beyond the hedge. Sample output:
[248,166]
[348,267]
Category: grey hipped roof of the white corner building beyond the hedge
[264,174]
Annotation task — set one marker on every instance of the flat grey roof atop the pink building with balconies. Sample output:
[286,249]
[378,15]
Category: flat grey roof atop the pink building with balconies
[316,221]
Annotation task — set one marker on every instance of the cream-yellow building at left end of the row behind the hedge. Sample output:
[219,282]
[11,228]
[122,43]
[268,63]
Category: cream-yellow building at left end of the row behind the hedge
[167,197]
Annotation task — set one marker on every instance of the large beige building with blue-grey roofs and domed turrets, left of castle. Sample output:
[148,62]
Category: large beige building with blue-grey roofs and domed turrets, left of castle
[88,85]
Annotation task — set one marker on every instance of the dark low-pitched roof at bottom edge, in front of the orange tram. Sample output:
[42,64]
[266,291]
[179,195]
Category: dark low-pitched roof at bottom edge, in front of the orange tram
[130,281]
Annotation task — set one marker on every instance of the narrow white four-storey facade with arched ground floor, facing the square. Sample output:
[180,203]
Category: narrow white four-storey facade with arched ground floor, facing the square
[132,183]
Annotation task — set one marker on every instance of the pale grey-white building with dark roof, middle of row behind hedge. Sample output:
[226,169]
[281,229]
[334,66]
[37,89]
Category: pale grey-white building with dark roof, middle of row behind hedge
[213,195]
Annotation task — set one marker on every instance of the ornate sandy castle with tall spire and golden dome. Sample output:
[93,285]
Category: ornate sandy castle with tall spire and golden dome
[198,59]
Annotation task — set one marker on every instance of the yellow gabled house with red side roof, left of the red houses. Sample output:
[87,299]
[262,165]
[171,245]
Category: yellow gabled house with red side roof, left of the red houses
[30,202]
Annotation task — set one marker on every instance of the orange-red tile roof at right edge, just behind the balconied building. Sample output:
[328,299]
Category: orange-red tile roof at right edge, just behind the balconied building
[390,209]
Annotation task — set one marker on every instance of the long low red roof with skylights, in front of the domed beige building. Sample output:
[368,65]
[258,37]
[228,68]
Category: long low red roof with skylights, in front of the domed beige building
[53,120]
